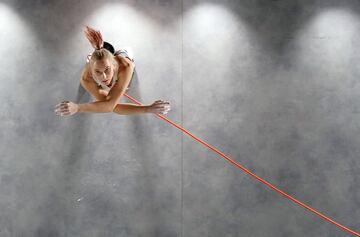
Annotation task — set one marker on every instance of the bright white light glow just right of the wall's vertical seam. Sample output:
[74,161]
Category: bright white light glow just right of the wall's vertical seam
[220,38]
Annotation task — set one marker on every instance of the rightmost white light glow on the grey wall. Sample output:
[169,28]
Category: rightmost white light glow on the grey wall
[327,37]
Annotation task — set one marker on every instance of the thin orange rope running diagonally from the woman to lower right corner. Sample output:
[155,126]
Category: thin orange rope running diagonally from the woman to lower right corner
[252,174]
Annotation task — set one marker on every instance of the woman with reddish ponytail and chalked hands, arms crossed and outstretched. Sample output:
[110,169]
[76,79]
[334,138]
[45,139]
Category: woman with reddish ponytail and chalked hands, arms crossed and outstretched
[111,71]
